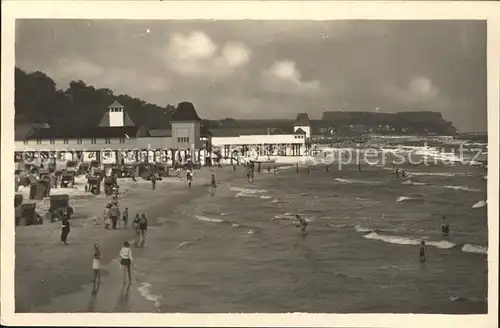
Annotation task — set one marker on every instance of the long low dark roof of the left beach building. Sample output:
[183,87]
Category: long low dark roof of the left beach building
[96,132]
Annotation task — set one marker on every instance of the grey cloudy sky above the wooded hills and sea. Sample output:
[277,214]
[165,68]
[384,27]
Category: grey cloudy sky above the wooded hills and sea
[271,69]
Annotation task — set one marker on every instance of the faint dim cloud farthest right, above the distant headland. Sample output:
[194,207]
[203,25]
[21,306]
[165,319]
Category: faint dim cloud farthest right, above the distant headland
[419,91]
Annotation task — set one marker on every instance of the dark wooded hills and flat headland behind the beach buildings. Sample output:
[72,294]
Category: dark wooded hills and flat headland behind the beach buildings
[38,100]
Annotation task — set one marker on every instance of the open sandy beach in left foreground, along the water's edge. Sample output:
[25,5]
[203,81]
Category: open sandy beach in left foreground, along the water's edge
[45,268]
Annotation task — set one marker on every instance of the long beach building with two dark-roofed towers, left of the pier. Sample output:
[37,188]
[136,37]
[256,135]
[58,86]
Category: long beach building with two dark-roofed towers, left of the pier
[117,140]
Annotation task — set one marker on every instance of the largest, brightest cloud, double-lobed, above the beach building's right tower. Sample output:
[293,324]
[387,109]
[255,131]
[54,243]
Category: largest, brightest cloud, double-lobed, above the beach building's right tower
[196,54]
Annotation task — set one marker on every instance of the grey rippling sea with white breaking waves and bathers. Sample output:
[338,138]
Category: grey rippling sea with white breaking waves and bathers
[241,251]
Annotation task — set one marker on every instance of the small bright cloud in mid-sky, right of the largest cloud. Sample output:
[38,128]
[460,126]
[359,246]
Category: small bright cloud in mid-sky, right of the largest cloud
[284,77]
